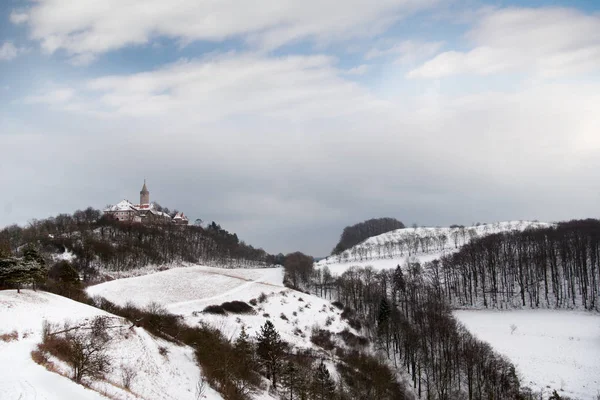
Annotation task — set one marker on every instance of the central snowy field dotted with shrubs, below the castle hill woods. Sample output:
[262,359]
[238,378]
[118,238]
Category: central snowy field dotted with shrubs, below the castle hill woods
[187,291]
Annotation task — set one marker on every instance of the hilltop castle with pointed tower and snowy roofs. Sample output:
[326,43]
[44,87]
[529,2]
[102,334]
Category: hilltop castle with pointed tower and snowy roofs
[145,212]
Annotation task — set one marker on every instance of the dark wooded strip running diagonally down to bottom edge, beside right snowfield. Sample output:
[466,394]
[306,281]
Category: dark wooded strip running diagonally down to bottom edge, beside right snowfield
[413,326]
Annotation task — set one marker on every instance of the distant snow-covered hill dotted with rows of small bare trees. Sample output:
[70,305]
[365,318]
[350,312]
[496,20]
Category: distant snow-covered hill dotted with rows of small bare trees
[421,244]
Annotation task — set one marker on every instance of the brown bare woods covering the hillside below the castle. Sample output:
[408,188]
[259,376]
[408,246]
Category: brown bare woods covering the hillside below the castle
[99,243]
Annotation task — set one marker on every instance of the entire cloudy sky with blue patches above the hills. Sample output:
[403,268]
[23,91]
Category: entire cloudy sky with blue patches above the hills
[287,120]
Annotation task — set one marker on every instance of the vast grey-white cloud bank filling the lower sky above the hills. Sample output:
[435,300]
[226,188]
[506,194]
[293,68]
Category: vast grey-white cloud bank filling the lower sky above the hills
[286,151]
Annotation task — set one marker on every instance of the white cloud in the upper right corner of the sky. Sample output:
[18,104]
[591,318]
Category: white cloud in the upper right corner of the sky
[546,42]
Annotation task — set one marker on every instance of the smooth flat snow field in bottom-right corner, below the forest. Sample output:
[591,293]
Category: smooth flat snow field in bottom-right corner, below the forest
[552,349]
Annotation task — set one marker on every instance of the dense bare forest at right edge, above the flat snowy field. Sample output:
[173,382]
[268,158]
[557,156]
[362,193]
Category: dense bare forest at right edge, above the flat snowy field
[554,267]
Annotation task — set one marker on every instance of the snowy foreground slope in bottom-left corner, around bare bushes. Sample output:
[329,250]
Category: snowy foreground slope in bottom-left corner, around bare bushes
[158,377]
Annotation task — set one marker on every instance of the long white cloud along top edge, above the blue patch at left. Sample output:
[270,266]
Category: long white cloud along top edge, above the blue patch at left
[98,26]
